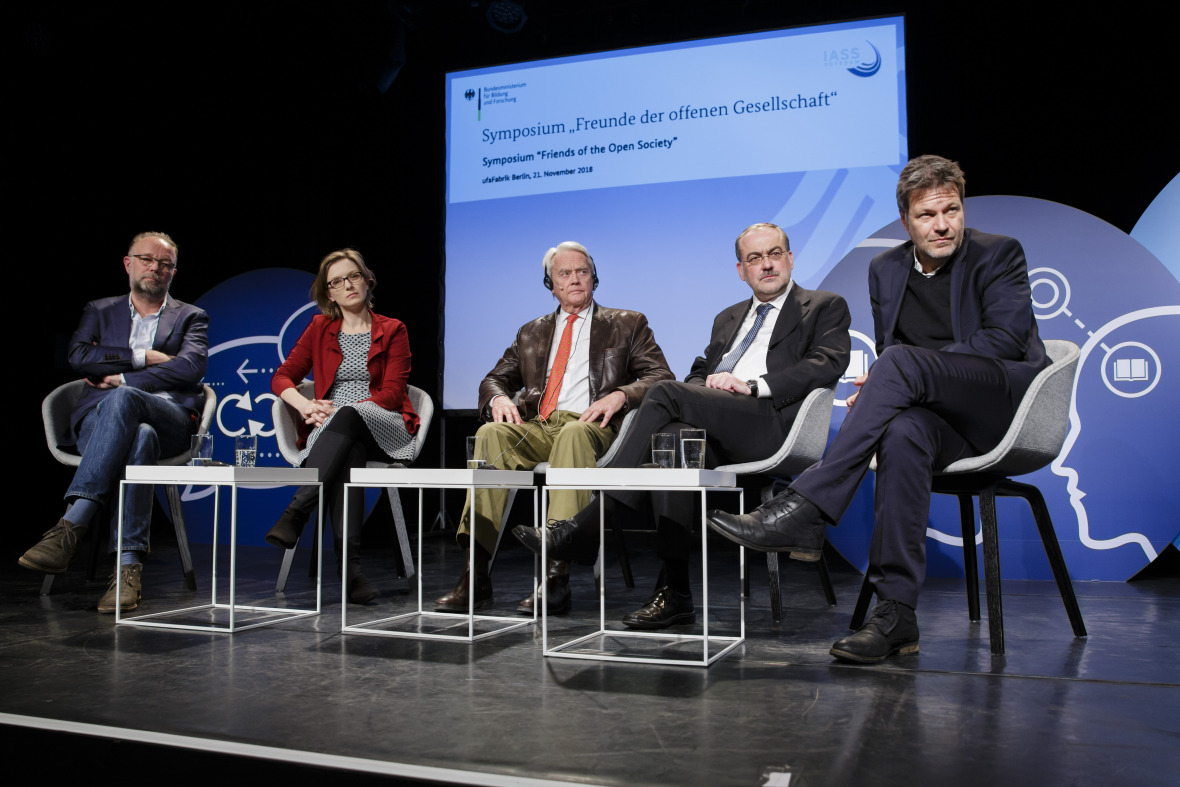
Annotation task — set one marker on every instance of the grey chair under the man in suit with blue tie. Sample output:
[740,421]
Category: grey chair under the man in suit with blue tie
[803,449]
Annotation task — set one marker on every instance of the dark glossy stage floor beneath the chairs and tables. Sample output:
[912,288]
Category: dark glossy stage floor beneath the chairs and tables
[1056,711]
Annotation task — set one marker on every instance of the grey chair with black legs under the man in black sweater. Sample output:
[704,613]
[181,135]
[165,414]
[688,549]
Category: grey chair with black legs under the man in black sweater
[1035,438]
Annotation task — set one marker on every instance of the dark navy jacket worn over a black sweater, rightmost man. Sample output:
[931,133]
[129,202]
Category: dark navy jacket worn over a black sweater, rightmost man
[992,304]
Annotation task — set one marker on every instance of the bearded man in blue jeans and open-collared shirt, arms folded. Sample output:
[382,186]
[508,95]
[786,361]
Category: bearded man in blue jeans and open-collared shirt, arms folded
[143,358]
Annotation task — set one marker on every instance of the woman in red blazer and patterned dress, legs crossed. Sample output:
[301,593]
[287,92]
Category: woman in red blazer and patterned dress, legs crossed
[360,364]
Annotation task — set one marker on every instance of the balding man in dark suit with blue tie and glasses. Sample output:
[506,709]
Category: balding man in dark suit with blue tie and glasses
[765,356]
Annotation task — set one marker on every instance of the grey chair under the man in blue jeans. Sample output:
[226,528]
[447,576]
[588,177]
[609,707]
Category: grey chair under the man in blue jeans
[56,411]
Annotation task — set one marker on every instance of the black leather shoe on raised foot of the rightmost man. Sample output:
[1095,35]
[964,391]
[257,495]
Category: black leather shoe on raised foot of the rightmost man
[786,523]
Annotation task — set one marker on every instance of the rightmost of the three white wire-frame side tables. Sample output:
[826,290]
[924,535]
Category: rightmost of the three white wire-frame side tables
[615,480]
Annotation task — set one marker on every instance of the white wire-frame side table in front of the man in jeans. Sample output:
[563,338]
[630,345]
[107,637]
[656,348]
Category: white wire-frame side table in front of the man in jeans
[234,478]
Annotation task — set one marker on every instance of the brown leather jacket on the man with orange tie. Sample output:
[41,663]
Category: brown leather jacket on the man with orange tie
[624,357]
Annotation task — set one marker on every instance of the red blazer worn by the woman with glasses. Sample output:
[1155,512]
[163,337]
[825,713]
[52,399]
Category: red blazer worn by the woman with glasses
[318,351]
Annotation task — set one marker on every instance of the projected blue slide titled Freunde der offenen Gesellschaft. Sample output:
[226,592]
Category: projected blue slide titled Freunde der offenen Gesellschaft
[655,160]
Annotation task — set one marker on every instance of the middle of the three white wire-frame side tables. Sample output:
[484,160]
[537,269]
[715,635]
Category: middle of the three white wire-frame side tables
[424,478]
